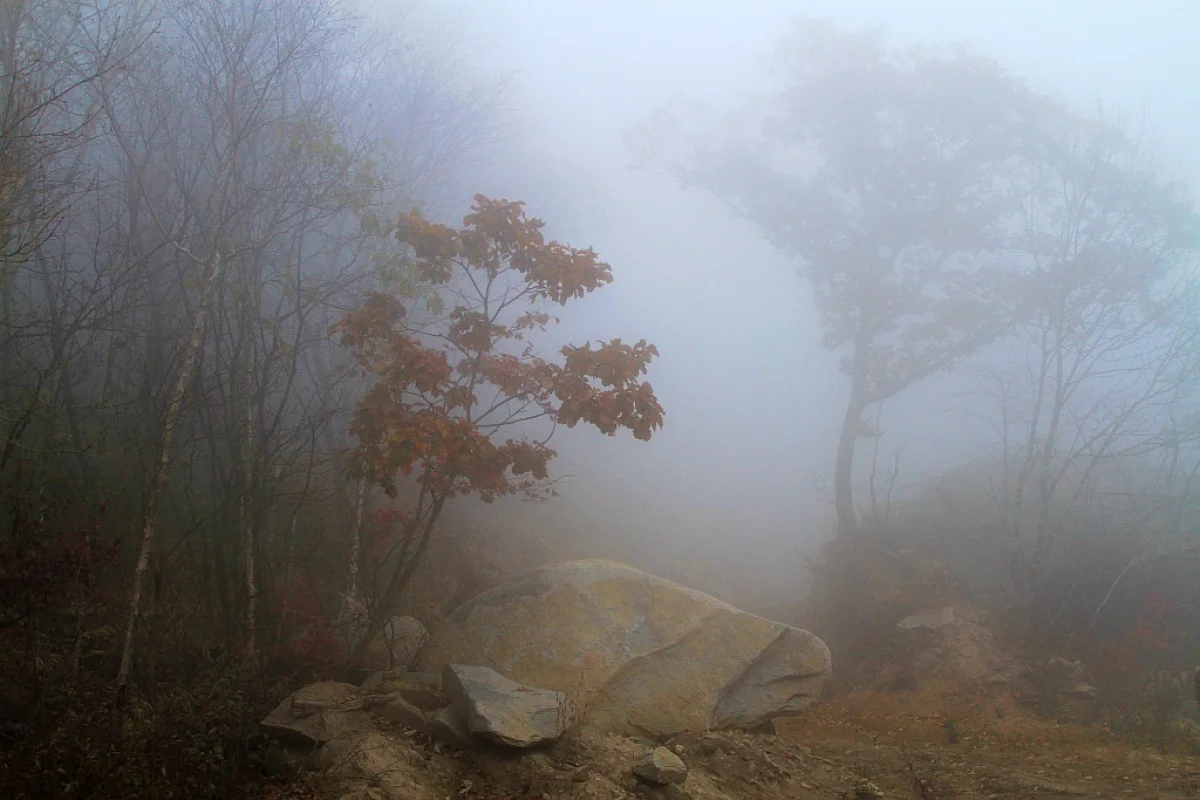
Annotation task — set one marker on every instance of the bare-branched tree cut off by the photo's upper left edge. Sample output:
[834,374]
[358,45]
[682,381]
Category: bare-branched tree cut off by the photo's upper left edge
[53,53]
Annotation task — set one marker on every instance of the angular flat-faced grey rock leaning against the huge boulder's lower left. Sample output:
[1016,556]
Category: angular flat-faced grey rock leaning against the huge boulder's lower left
[497,709]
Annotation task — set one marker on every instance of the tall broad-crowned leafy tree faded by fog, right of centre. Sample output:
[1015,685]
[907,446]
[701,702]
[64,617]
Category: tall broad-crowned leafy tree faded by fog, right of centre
[887,176]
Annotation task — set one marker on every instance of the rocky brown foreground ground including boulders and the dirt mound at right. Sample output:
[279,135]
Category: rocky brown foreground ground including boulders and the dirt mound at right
[911,730]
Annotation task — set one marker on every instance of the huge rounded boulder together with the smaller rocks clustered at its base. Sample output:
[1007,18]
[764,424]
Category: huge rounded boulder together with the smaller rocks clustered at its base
[622,659]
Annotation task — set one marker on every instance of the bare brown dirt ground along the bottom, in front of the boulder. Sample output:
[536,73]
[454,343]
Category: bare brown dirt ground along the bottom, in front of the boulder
[862,747]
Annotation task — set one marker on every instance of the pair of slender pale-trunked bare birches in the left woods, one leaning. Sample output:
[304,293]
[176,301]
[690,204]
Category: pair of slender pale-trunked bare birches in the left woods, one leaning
[236,64]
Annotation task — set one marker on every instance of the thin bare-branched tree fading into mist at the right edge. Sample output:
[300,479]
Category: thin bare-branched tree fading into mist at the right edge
[1105,353]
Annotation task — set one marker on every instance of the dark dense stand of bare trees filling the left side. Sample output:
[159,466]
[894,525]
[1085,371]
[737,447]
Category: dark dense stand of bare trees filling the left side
[191,196]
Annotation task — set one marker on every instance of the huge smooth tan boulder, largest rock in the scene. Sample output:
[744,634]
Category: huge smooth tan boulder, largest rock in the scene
[633,652]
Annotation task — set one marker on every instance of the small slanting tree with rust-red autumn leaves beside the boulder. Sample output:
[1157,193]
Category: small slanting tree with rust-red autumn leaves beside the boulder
[459,384]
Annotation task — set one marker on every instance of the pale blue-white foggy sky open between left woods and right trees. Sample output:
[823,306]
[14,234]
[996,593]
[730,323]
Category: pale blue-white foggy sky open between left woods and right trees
[753,404]
